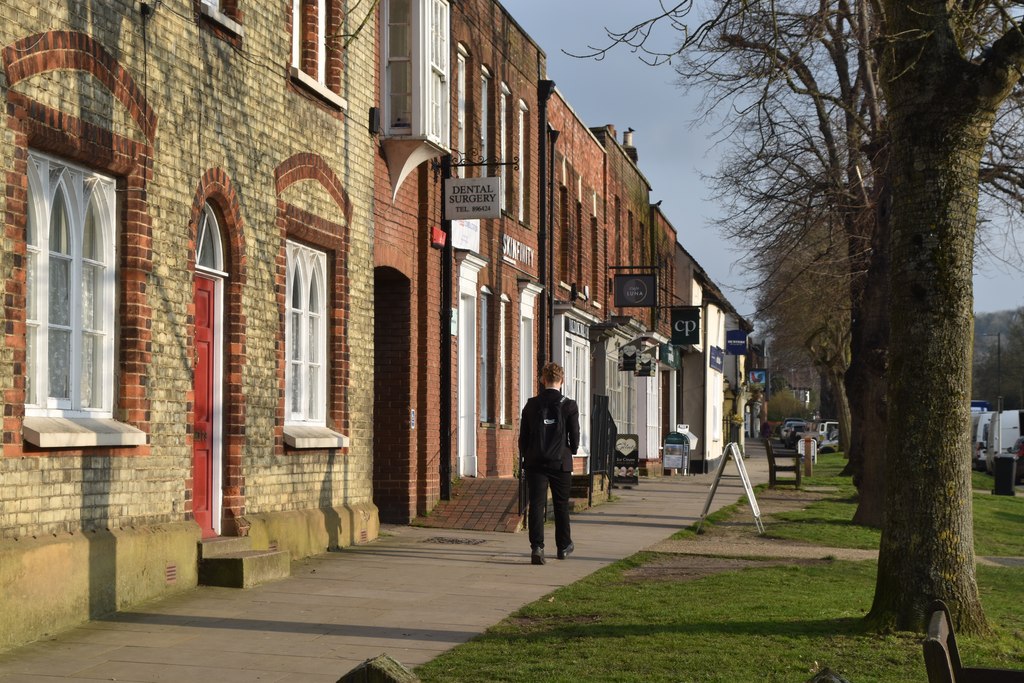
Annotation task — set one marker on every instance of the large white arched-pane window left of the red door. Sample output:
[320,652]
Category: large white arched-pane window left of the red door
[70,279]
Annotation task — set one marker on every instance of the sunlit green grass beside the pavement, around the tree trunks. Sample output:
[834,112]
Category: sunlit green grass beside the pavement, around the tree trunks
[761,624]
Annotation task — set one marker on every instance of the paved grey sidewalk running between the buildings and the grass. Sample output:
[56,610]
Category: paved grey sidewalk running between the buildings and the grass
[413,594]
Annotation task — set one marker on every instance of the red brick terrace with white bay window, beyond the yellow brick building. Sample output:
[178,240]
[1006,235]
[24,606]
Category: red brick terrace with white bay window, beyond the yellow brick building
[532,285]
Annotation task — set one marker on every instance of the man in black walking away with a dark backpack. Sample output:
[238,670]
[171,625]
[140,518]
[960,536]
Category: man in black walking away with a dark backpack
[549,437]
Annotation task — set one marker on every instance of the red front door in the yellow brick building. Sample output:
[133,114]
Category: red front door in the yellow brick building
[204,387]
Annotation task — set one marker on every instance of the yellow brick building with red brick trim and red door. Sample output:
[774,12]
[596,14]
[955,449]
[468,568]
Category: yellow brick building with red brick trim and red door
[188,274]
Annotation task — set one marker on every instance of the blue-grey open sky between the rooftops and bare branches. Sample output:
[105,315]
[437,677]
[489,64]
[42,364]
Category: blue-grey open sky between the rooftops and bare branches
[624,92]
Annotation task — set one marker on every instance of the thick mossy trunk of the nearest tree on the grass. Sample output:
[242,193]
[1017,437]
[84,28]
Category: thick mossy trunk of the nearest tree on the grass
[927,548]
